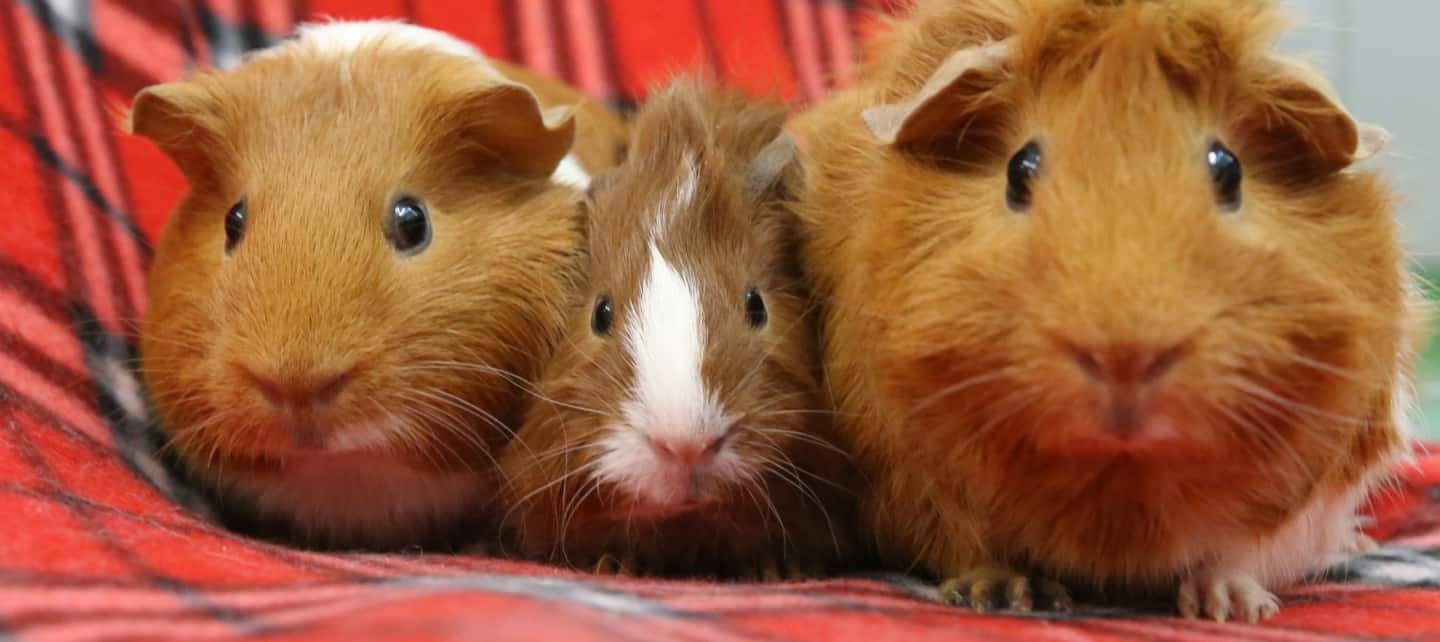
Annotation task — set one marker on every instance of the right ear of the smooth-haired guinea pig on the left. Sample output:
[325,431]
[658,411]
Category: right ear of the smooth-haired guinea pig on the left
[508,125]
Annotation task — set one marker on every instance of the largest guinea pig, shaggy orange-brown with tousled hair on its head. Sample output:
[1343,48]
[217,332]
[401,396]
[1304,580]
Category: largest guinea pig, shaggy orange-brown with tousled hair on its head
[1107,302]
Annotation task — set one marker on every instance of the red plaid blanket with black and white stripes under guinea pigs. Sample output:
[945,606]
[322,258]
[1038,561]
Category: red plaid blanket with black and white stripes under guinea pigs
[96,542]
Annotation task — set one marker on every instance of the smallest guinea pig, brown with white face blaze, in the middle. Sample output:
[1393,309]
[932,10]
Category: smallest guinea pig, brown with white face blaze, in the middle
[682,428]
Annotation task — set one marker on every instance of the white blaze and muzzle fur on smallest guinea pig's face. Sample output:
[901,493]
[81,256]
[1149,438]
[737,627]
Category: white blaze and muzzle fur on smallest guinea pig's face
[670,401]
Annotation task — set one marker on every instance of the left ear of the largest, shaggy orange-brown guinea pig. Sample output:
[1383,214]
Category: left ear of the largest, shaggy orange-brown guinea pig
[957,94]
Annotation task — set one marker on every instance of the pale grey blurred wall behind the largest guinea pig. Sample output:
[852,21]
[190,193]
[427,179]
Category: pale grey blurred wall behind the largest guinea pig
[1385,60]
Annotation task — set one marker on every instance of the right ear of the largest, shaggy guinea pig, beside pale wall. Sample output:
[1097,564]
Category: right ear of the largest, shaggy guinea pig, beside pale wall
[1301,119]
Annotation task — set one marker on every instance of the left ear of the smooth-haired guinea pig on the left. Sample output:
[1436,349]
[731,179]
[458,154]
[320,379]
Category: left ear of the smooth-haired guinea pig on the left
[182,119]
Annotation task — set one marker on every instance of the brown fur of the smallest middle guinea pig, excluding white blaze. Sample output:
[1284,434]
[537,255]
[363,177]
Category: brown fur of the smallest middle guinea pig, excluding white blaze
[737,237]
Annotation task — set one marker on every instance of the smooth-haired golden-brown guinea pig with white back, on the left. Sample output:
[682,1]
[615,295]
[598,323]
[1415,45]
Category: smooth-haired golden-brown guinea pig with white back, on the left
[375,256]
